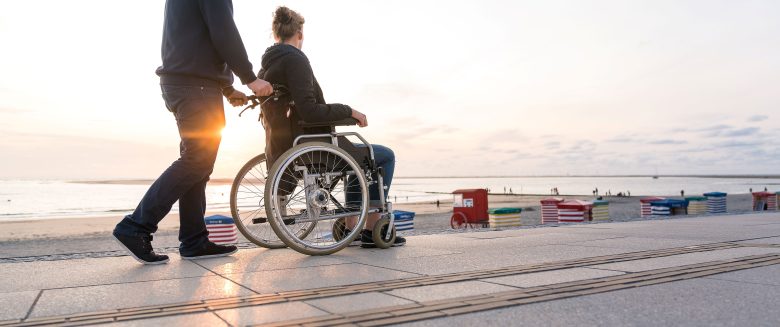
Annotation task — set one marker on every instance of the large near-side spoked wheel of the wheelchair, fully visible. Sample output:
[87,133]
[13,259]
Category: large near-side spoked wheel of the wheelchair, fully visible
[316,178]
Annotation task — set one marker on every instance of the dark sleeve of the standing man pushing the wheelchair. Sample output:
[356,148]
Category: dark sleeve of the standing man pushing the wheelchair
[218,15]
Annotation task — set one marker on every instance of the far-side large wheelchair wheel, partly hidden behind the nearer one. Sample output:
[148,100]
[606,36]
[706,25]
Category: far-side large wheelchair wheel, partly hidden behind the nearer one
[247,205]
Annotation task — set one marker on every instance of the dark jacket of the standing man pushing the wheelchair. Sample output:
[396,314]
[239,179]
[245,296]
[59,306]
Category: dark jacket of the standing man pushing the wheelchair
[201,41]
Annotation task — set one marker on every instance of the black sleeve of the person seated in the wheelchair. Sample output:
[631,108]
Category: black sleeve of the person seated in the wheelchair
[300,82]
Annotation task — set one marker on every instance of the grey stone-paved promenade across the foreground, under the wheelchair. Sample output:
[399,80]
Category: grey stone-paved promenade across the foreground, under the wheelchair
[717,270]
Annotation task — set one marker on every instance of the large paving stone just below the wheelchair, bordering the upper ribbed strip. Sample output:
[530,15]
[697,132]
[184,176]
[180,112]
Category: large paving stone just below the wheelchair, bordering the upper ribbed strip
[314,277]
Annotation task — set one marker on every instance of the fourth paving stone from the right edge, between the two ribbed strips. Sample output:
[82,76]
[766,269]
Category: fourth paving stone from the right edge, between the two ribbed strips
[364,301]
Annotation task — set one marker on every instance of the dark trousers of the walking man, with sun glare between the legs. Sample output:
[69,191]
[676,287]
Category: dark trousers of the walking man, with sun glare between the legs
[200,117]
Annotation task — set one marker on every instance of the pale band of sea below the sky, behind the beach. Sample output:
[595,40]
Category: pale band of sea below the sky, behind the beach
[37,199]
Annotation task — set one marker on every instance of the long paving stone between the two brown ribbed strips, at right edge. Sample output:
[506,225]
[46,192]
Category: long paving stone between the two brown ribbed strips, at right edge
[684,259]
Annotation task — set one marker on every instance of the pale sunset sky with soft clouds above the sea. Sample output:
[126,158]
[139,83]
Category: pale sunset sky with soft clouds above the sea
[489,87]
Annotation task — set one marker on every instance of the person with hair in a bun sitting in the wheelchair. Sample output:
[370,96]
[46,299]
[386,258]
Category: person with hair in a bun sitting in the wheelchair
[285,63]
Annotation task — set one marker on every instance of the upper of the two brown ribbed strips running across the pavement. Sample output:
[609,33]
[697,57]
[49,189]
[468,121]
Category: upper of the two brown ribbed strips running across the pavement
[127,313]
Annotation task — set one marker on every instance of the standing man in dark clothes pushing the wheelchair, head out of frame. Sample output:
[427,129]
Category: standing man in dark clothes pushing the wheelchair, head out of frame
[201,49]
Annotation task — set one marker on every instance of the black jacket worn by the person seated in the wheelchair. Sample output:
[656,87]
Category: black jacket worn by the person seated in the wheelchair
[287,65]
